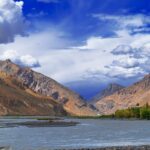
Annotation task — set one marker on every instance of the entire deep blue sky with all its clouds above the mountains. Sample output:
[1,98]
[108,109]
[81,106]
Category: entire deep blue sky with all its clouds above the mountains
[83,44]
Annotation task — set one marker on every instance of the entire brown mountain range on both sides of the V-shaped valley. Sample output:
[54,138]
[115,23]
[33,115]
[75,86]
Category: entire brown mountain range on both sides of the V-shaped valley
[26,92]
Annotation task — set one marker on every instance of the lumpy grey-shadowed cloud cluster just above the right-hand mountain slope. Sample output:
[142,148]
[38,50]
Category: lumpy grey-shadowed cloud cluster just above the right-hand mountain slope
[132,62]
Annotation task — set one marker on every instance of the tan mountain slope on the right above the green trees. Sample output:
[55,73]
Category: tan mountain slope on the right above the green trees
[137,94]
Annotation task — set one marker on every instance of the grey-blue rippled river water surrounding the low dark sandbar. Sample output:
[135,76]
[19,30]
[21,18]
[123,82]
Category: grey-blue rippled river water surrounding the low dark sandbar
[89,133]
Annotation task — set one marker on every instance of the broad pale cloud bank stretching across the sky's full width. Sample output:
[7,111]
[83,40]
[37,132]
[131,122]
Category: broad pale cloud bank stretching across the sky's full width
[66,64]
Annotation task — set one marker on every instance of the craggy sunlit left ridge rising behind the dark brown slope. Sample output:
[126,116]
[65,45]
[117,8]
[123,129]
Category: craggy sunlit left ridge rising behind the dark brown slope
[37,84]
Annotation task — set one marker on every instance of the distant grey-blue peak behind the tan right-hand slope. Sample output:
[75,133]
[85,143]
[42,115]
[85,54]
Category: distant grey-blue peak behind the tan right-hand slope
[109,90]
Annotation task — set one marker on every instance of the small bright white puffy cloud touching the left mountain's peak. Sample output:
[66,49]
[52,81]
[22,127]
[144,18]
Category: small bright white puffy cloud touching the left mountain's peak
[22,60]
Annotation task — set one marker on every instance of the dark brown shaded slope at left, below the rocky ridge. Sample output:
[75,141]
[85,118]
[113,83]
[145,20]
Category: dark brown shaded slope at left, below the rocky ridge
[14,100]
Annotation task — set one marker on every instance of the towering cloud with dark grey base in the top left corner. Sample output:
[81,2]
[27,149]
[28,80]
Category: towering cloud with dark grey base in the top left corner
[11,20]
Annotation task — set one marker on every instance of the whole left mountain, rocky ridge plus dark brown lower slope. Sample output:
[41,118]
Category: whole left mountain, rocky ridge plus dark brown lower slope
[23,85]
